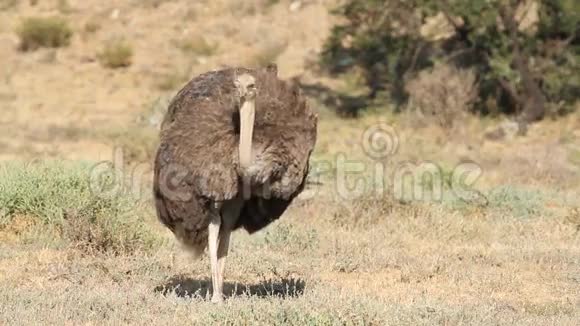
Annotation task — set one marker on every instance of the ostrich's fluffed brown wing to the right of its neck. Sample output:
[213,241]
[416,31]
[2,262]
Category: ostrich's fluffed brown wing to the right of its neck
[284,138]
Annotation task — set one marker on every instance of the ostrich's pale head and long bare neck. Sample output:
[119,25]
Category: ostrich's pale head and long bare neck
[246,88]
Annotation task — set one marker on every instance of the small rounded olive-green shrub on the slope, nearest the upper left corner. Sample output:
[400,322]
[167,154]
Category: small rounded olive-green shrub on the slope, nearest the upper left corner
[37,32]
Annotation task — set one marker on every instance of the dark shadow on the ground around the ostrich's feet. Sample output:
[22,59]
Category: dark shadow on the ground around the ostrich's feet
[184,286]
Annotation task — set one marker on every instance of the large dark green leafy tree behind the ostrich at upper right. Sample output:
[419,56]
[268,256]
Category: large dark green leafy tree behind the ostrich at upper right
[525,54]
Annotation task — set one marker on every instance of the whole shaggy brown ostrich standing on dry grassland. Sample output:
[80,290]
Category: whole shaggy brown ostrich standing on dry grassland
[234,150]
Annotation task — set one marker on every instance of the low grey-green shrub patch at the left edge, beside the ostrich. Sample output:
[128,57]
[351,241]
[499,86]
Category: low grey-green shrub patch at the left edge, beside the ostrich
[58,197]
